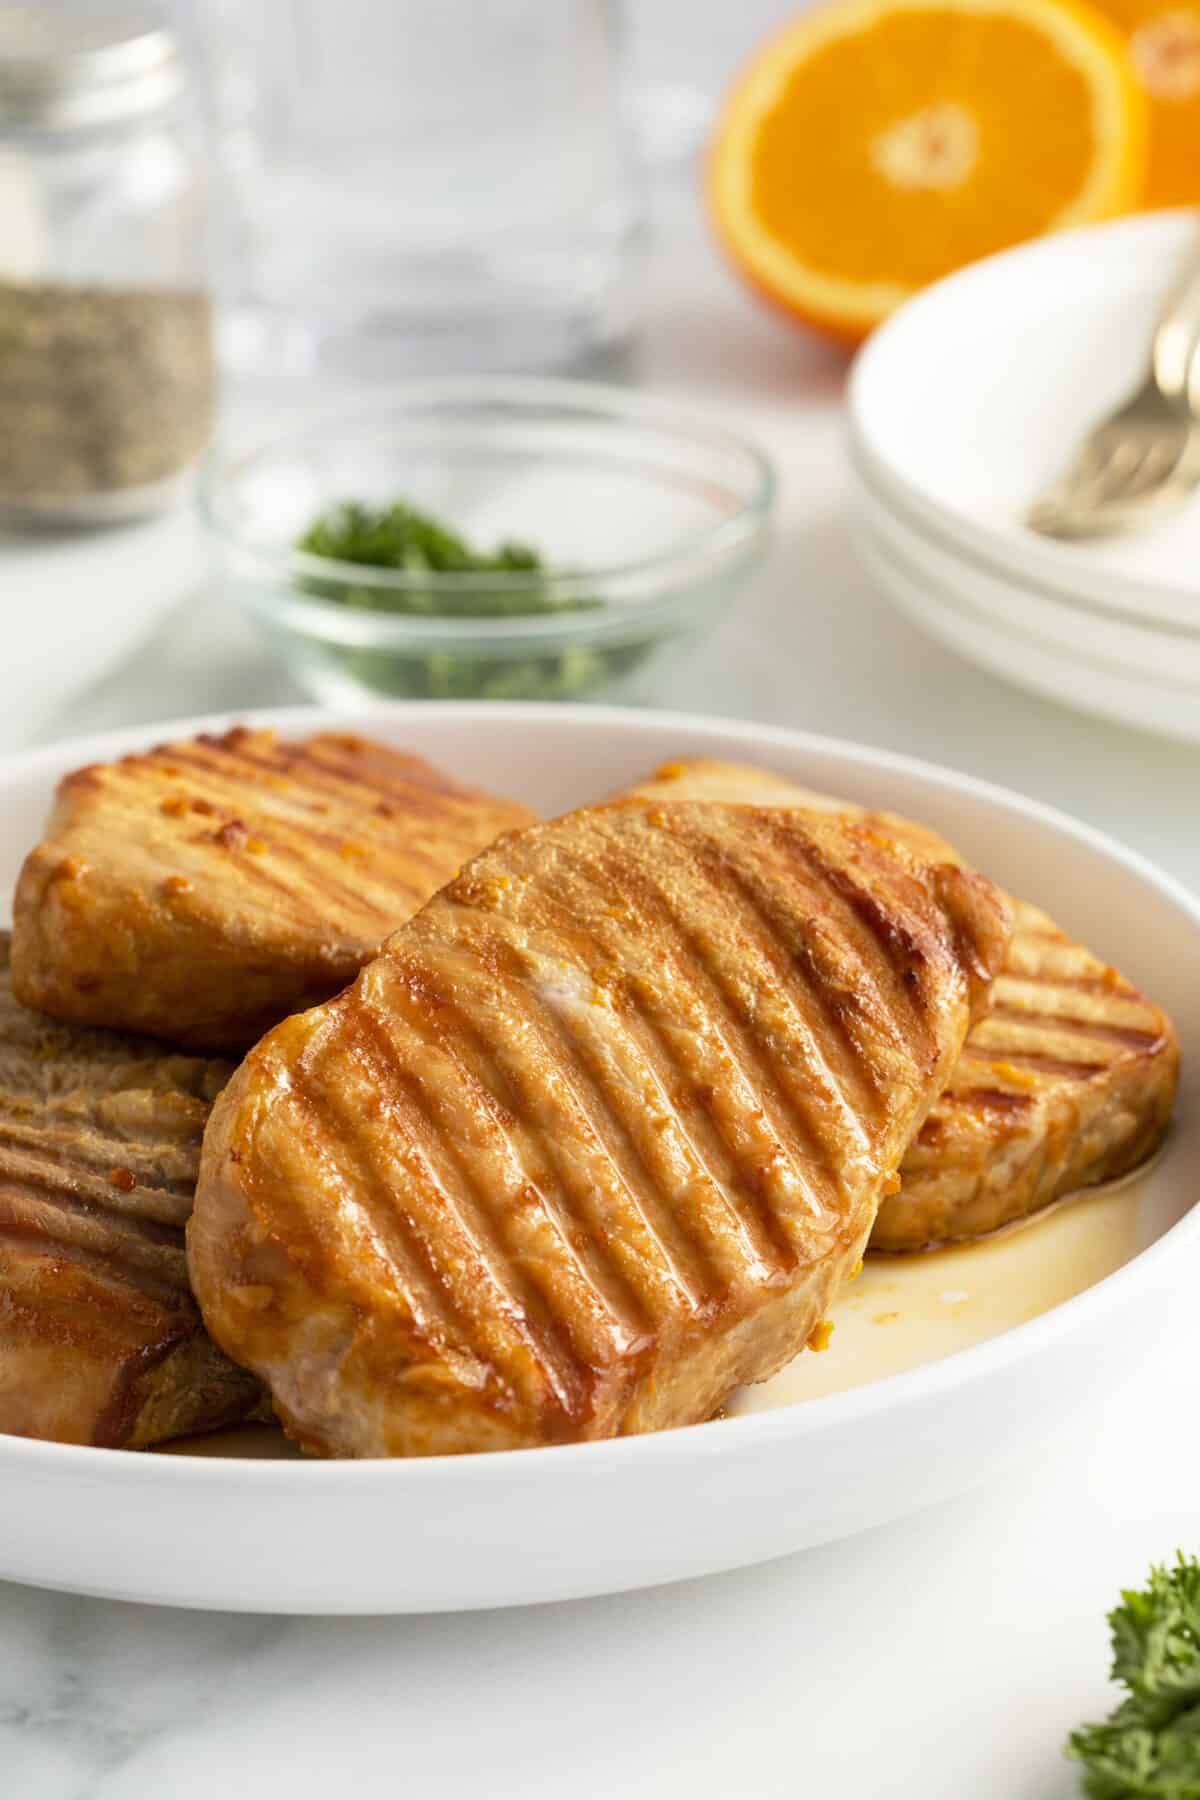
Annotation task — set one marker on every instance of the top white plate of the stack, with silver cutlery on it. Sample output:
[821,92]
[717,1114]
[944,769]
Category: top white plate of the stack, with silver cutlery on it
[980,391]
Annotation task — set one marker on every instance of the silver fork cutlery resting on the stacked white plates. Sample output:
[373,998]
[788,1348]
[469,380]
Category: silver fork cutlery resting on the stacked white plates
[1145,458]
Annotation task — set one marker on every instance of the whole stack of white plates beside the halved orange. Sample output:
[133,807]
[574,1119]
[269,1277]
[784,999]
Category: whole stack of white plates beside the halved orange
[963,408]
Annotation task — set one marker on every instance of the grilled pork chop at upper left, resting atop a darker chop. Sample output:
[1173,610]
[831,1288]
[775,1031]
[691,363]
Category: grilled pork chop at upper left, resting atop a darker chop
[206,890]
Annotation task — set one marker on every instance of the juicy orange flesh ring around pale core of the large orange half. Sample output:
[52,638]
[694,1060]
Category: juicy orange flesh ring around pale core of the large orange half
[1034,147]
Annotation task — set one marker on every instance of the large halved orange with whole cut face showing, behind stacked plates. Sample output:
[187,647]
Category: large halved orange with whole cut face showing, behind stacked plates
[877,145]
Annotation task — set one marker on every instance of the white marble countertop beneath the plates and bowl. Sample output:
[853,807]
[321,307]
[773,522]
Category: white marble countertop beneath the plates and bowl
[936,1659]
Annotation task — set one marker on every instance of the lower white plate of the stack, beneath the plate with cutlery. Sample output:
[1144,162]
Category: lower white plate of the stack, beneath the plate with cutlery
[1145,676]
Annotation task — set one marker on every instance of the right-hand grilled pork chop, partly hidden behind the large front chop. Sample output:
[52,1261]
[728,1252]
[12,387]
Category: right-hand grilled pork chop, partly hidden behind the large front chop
[1068,1083]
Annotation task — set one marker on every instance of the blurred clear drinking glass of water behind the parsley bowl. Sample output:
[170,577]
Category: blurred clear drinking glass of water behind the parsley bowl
[420,186]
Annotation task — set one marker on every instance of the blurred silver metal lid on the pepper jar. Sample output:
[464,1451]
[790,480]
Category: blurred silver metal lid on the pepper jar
[62,73]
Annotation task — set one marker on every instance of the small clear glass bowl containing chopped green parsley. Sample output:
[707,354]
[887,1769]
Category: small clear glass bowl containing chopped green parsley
[647,519]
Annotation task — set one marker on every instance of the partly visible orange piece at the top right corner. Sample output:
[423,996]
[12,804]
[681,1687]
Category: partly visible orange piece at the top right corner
[1165,39]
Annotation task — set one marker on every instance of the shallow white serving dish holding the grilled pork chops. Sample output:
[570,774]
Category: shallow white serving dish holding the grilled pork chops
[548,1525]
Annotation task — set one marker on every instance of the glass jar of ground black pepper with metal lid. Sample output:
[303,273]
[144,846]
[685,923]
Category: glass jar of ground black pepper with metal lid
[105,325]
